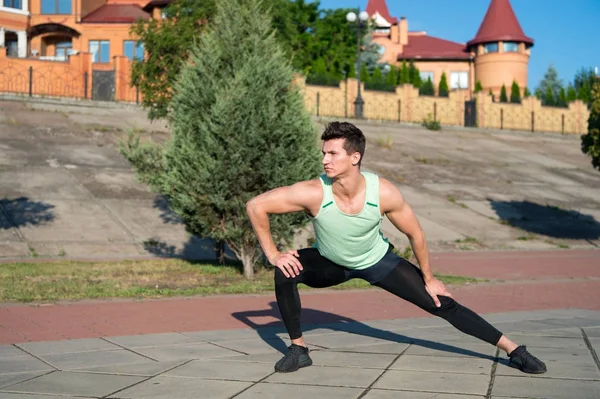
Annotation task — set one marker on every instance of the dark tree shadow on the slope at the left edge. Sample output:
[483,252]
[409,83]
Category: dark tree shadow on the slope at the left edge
[22,212]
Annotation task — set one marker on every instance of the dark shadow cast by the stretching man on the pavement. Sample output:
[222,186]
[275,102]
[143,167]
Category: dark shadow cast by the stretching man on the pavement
[316,319]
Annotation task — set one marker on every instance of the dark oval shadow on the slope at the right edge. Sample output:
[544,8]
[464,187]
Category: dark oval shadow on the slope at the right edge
[547,220]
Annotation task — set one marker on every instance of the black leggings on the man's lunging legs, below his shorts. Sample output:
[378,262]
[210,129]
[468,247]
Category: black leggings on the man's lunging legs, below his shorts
[405,281]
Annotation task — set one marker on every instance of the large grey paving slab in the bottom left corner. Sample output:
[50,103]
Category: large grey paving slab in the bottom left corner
[65,383]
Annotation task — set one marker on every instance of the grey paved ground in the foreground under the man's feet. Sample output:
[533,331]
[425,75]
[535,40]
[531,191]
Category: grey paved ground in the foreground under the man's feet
[392,358]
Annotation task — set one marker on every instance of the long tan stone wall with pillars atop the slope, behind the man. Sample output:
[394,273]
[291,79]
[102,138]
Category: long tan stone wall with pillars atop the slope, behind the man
[406,105]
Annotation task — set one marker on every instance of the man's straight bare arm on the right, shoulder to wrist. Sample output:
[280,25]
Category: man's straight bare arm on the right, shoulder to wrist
[404,219]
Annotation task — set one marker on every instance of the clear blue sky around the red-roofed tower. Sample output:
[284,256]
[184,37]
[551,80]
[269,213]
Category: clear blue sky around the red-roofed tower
[565,33]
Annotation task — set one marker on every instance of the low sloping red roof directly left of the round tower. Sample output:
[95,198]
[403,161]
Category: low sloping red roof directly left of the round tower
[432,48]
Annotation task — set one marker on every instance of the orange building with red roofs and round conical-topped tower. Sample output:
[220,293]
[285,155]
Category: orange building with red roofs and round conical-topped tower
[498,54]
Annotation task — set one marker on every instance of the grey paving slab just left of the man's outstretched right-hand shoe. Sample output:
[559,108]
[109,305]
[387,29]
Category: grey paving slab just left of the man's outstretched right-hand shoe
[443,364]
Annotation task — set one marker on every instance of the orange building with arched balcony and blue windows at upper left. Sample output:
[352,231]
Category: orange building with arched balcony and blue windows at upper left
[53,29]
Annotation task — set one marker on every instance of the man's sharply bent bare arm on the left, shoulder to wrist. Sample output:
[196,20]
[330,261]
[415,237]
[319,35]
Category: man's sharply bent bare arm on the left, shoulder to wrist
[302,196]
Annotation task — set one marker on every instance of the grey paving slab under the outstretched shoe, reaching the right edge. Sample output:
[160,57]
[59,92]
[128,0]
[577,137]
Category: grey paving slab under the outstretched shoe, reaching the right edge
[586,370]
